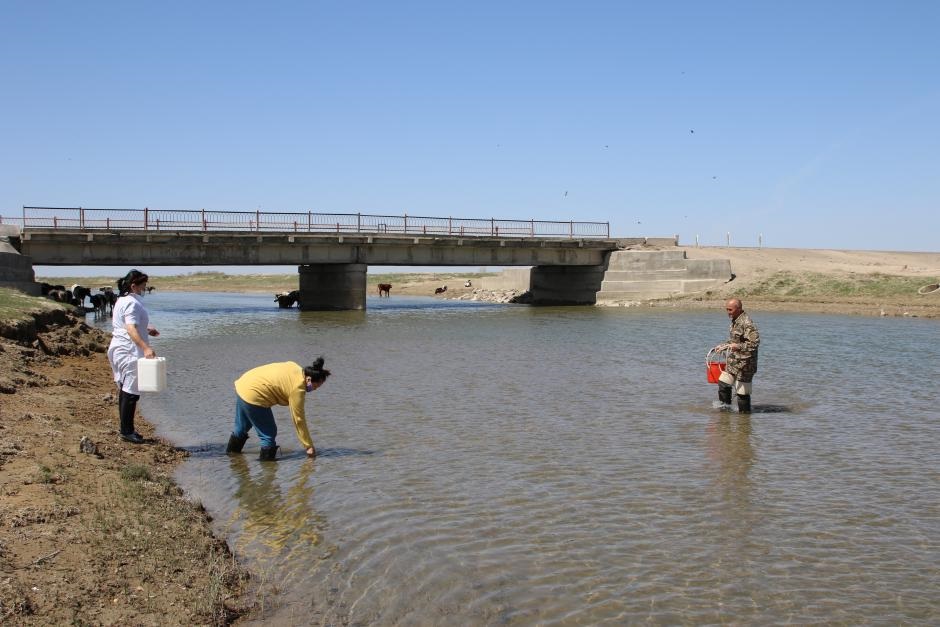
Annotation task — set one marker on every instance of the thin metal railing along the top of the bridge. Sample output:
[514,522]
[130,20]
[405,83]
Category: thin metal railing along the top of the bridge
[88,219]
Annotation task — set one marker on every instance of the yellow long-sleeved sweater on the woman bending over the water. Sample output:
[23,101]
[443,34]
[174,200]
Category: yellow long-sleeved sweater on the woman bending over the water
[280,383]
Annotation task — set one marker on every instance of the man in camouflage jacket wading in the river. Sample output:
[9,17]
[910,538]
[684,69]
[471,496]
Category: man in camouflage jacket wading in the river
[742,357]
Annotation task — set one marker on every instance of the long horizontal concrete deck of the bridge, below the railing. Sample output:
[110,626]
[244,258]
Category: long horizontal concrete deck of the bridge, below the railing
[135,247]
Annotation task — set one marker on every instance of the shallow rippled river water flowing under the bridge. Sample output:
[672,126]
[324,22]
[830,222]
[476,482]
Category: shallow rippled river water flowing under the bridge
[485,464]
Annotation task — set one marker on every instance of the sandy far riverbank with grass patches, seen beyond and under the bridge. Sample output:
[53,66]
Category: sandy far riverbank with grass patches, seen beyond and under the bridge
[848,282]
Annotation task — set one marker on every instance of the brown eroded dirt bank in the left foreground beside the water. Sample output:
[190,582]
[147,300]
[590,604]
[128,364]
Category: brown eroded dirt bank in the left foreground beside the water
[93,530]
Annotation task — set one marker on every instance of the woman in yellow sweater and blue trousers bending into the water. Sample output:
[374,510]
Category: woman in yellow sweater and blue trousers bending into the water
[283,383]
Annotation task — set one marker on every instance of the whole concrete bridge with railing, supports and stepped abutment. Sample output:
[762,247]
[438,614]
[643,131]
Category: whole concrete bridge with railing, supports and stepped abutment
[333,251]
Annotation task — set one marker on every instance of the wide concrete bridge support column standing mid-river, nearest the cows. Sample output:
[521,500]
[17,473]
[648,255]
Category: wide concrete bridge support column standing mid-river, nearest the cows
[332,287]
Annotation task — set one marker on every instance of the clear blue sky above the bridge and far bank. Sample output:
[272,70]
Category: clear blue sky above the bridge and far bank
[816,124]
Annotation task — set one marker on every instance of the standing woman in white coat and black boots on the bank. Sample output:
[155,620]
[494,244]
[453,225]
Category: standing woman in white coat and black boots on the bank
[129,342]
